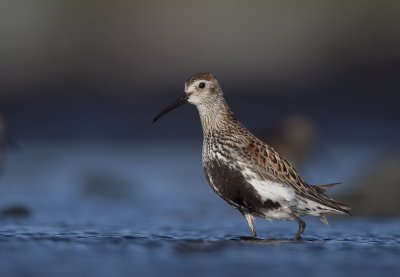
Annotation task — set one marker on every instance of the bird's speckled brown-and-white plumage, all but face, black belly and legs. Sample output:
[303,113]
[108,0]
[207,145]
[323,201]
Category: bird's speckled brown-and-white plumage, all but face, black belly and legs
[226,141]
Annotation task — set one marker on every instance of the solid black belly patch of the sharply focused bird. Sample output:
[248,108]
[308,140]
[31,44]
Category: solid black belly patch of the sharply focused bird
[231,185]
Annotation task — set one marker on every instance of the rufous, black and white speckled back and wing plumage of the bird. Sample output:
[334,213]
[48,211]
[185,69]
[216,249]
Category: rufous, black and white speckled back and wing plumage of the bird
[236,146]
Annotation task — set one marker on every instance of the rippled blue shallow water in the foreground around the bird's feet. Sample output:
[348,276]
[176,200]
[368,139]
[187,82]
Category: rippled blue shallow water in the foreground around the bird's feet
[358,246]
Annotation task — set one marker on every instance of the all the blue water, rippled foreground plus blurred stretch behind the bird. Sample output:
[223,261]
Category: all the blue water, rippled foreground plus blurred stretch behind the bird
[101,210]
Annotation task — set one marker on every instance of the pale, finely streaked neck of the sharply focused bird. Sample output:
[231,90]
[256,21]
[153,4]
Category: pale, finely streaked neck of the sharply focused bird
[215,115]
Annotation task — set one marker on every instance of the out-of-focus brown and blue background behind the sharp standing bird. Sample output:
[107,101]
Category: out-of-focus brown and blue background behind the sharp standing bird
[80,82]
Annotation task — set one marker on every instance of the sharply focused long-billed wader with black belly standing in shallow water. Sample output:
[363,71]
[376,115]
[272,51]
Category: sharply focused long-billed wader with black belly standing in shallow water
[245,172]
